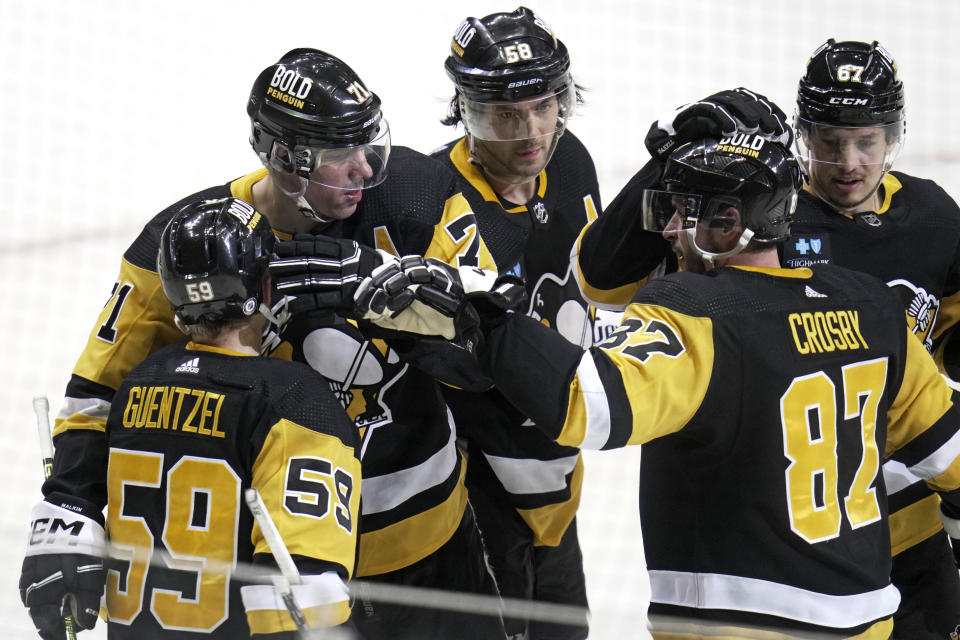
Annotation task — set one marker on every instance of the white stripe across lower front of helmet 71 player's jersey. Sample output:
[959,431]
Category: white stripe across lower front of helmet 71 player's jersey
[382,493]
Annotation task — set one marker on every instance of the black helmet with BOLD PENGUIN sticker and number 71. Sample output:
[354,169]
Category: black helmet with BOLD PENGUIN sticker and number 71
[313,106]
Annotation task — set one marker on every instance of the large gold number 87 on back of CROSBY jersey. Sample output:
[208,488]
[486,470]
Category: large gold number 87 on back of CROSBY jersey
[808,412]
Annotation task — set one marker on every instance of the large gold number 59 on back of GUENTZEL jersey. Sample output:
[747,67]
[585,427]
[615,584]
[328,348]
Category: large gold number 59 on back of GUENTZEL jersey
[200,524]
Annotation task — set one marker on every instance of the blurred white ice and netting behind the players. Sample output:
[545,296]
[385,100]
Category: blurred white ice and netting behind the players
[110,111]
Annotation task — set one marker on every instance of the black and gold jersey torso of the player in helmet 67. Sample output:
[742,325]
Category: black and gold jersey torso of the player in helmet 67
[911,242]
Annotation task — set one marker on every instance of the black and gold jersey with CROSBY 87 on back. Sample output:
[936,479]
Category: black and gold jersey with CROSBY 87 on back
[767,399]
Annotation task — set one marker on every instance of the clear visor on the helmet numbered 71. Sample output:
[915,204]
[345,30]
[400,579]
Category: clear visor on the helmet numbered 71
[348,168]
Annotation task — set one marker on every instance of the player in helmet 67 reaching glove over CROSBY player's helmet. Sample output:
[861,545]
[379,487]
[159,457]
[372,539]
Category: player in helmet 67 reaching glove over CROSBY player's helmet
[854,213]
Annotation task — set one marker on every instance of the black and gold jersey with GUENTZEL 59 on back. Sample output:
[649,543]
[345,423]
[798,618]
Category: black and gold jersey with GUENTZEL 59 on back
[189,430]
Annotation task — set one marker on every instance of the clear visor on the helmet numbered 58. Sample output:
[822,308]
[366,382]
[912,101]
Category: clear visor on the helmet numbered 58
[518,120]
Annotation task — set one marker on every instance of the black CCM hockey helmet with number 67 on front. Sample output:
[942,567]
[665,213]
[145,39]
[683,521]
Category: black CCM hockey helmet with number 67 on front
[851,84]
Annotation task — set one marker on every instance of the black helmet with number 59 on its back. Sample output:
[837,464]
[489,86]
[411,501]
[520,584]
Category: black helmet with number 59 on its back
[213,259]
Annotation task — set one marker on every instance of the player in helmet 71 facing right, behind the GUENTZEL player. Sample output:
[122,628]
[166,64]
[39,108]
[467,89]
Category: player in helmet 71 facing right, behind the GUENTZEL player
[325,147]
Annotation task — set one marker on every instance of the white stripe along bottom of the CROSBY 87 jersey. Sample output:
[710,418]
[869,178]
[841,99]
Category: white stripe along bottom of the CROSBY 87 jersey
[737,593]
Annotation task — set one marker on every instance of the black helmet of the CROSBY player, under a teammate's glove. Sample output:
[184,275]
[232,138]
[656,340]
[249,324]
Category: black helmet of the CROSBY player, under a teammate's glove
[757,177]
